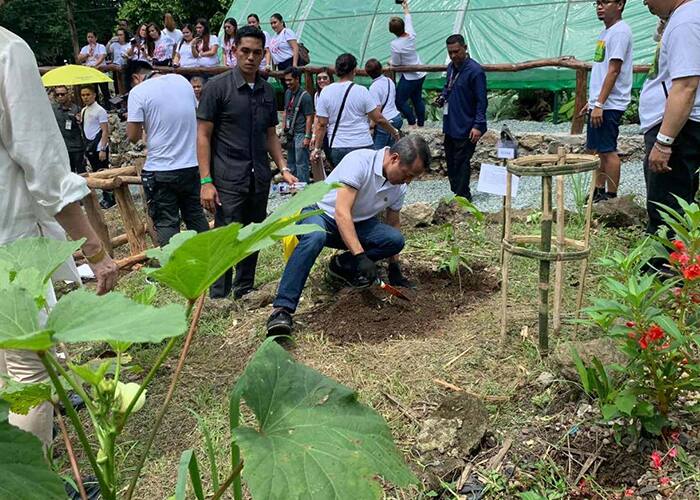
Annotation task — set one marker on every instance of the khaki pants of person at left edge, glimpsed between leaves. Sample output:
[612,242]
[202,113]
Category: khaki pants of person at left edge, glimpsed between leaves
[26,367]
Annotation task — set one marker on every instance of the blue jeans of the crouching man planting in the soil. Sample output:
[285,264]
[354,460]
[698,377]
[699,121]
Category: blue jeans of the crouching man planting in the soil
[380,241]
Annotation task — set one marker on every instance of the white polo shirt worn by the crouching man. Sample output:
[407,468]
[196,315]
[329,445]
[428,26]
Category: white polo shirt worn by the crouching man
[363,171]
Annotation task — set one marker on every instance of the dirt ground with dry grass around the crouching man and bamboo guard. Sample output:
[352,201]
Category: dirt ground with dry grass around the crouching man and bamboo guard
[404,359]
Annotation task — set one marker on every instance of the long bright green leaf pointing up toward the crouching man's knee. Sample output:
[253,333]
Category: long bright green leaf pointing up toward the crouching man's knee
[198,262]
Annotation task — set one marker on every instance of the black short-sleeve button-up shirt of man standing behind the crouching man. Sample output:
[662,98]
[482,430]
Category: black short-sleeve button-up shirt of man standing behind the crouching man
[241,118]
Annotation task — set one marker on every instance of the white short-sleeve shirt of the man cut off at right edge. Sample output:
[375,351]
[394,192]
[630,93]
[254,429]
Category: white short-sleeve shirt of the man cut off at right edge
[678,57]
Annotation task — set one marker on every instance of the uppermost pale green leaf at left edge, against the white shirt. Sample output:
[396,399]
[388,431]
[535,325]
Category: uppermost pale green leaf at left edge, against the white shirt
[43,254]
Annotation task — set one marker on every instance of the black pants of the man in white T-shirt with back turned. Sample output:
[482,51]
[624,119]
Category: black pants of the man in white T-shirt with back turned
[172,197]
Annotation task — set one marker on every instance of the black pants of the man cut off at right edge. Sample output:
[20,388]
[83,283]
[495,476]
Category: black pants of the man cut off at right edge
[681,181]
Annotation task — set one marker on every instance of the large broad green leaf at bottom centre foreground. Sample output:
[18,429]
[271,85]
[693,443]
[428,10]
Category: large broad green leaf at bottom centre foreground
[314,437]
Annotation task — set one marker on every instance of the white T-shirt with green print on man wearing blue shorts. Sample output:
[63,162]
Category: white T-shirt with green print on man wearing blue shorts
[614,43]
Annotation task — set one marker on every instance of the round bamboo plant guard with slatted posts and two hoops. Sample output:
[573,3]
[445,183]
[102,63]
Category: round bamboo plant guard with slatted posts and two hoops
[565,249]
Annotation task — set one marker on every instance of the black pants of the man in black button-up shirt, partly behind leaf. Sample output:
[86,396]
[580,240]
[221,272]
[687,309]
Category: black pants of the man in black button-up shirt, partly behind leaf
[244,208]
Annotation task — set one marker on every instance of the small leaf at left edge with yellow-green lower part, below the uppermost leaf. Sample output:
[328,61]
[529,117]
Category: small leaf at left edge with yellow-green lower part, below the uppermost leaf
[19,324]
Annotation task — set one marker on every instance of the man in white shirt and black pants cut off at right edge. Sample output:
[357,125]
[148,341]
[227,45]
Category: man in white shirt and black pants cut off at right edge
[669,110]
